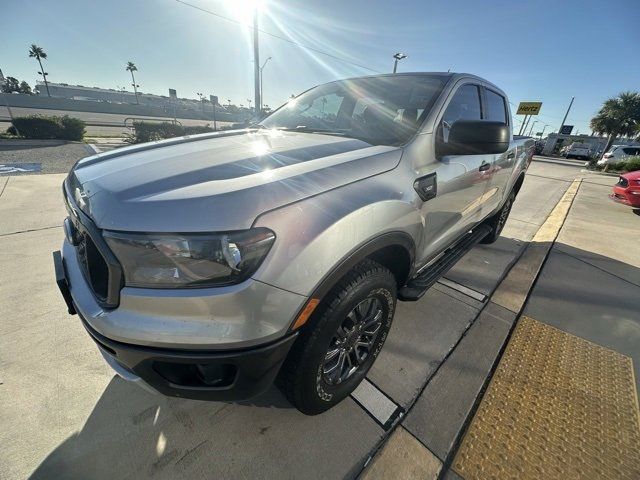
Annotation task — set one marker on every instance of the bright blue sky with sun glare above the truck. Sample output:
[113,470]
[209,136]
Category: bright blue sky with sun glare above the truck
[535,50]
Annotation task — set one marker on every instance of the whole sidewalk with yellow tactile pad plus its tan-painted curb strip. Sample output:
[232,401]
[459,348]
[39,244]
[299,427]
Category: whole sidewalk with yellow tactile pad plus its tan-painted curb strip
[561,401]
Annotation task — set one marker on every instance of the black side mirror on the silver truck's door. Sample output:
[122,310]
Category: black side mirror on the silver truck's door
[476,137]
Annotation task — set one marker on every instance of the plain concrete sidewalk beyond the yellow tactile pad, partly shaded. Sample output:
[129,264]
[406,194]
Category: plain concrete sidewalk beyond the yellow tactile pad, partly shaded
[590,284]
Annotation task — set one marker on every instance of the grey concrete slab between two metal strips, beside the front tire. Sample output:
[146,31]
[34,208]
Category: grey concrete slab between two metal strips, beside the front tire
[422,334]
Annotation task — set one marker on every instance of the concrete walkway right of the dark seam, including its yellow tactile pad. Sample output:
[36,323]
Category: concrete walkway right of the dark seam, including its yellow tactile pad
[563,402]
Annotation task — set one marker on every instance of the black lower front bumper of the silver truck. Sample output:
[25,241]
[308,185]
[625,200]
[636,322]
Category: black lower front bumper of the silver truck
[187,373]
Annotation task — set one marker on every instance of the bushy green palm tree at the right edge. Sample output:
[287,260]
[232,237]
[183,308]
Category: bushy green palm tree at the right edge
[619,116]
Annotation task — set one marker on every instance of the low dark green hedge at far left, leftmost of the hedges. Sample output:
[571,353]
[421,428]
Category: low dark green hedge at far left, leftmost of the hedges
[45,128]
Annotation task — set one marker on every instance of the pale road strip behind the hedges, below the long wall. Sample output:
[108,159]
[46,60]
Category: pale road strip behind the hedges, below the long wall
[113,123]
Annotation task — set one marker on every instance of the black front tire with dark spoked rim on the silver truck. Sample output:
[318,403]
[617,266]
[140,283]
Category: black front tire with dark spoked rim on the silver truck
[307,378]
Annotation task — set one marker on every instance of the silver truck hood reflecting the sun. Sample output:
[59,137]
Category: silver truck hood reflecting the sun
[217,182]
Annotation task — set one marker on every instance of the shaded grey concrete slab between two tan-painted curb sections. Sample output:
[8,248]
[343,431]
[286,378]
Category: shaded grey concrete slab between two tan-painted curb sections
[441,411]
